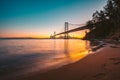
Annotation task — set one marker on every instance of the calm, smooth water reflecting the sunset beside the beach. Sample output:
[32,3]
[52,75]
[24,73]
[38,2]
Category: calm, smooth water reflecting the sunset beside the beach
[20,57]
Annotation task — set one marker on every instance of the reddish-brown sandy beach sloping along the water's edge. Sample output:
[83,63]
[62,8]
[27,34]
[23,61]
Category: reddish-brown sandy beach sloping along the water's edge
[102,65]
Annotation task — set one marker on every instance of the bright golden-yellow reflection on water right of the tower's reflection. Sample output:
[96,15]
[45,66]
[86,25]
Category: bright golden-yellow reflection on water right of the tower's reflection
[79,52]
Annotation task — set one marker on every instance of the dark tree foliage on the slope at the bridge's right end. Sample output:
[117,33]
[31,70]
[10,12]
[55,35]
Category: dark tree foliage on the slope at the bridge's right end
[105,22]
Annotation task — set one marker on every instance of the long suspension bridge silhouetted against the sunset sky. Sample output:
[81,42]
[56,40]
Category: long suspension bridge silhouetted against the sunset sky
[67,30]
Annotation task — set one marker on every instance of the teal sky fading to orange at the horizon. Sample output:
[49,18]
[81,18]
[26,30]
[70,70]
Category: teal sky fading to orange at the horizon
[40,18]
